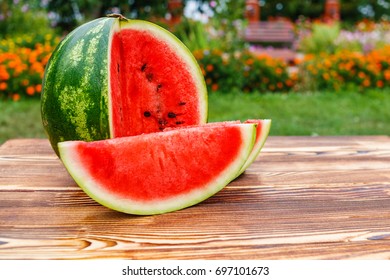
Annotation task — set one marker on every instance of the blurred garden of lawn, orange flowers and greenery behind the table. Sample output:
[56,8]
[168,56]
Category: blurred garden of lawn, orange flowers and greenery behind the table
[338,82]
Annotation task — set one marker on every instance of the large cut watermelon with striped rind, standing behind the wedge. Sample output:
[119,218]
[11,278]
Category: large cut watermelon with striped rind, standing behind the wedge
[114,77]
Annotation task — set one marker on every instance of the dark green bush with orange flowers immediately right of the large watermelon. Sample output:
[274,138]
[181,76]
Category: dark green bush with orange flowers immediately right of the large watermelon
[243,71]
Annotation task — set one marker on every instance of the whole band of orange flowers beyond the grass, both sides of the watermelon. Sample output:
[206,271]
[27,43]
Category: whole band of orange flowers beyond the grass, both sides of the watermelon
[23,60]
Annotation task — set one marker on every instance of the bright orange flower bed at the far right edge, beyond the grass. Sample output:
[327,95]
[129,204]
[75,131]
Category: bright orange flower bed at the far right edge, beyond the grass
[346,70]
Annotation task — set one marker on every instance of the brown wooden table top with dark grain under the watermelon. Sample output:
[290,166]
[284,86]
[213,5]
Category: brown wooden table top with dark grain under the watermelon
[304,198]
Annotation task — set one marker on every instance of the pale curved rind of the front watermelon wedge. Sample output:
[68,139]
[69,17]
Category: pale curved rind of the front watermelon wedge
[73,163]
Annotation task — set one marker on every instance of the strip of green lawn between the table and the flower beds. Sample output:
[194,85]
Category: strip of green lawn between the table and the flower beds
[291,114]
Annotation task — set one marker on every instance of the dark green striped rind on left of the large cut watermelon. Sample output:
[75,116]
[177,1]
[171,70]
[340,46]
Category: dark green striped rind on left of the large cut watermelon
[74,102]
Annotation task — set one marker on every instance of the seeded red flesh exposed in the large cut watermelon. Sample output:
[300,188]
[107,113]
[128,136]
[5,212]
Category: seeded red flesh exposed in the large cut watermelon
[153,87]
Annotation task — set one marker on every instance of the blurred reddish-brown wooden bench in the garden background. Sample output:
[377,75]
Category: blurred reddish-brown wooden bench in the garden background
[270,32]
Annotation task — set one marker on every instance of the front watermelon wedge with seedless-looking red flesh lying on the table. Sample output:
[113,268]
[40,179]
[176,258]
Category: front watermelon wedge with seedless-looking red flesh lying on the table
[159,172]
